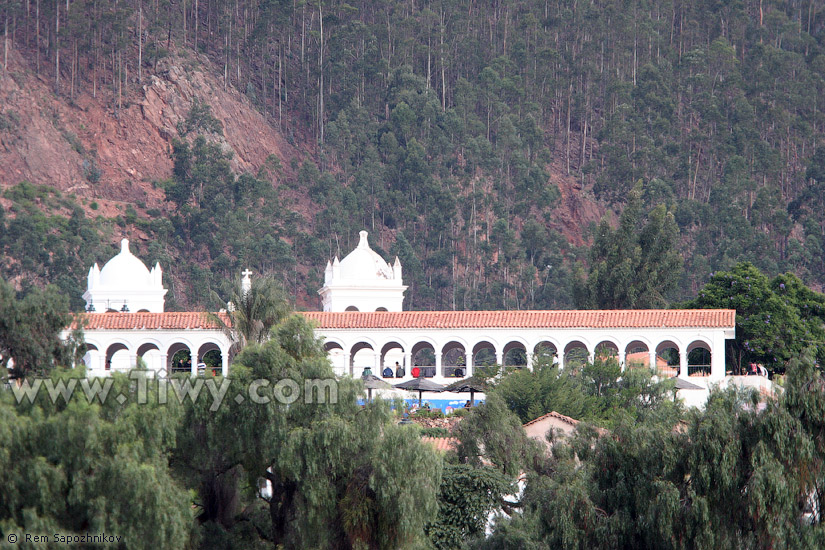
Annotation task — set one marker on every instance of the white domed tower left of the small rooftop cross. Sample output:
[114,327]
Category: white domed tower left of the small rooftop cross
[125,284]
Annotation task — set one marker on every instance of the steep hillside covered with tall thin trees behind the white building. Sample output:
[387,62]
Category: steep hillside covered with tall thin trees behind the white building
[478,141]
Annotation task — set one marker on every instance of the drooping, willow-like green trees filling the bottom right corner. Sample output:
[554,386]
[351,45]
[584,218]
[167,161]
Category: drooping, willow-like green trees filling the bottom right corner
[731,477]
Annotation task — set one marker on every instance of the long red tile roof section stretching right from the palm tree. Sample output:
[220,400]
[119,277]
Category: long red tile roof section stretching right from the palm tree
[626,318]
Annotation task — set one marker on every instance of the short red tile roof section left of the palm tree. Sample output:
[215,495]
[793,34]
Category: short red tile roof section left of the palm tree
[188,320]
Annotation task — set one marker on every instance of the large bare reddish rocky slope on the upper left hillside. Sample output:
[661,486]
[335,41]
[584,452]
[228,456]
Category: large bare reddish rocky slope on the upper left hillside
[87,146]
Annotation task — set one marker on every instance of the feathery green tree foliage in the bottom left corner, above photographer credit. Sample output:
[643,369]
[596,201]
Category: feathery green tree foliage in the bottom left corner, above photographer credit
[76,468]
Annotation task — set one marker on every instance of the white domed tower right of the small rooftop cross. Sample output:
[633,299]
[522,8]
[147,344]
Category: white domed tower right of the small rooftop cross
[362,281]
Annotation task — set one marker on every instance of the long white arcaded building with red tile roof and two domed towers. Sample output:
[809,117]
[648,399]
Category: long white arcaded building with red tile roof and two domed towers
[364,327]
